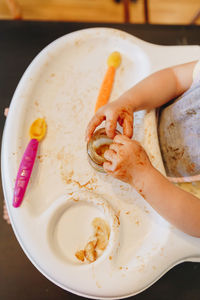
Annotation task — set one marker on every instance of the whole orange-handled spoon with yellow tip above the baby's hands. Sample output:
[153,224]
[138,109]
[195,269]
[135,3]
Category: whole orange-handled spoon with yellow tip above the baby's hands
[113,63]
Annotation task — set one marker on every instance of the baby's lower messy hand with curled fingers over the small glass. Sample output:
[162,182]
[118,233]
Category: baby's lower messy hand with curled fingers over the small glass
[127,161]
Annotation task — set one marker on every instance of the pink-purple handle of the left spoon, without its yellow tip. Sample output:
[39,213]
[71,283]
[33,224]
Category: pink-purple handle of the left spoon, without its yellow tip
[24,172]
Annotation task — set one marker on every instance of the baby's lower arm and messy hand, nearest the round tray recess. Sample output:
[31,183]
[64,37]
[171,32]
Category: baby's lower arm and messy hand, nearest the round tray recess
[127,161]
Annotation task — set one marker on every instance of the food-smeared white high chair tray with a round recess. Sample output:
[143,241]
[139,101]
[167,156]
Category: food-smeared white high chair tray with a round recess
[65,194]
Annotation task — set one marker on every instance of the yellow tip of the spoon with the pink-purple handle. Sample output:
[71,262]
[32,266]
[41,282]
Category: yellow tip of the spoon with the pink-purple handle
[38,129]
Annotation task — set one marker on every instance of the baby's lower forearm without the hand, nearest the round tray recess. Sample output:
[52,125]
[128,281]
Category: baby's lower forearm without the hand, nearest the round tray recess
[180,208]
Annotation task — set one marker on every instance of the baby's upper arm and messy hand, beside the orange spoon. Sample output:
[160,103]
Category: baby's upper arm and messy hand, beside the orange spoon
[154,91]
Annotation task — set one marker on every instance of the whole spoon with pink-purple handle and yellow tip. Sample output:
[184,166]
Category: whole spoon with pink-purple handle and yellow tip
[37,132]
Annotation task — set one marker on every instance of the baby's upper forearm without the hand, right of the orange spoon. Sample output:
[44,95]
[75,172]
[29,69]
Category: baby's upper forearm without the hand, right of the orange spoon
[160,87]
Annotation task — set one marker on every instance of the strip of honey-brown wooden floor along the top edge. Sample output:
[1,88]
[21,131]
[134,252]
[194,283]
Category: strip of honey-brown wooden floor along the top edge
[160,11]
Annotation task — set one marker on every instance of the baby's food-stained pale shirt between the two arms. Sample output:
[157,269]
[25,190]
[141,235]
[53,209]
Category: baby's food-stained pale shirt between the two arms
[179,133]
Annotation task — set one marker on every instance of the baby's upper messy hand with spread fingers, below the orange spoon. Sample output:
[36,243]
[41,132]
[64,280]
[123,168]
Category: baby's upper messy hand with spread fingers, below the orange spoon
[117,111]
